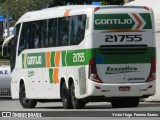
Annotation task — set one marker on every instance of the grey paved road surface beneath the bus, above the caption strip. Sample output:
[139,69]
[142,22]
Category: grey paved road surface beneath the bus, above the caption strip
[14,105]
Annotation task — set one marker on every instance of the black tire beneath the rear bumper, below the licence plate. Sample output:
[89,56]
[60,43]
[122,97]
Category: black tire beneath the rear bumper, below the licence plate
[125,102]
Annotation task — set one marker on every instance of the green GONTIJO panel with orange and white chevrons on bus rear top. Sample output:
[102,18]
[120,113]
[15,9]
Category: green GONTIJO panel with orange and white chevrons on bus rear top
[134,21]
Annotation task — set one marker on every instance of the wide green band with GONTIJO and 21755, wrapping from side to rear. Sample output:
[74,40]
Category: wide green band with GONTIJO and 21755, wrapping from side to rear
[83,56]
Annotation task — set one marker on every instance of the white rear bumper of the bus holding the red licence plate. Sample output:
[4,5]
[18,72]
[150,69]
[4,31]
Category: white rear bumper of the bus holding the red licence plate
[121,90]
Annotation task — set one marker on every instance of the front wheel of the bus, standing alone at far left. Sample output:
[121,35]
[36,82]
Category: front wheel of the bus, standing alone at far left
[26,103]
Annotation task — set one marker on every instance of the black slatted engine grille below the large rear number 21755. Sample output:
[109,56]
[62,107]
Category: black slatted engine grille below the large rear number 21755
[123,49]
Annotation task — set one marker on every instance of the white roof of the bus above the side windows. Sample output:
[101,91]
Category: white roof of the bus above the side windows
[60,10]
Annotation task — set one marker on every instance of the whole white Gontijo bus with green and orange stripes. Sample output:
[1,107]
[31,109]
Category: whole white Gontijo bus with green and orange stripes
[81,54]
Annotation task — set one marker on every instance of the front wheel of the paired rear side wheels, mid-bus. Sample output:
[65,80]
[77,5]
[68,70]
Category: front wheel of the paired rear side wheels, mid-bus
[66,97]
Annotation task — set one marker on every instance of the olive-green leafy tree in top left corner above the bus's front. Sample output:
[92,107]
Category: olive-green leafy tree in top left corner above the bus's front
[18,7]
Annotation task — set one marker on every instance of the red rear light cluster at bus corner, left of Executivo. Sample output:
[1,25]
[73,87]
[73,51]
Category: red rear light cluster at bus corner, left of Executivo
[93,71]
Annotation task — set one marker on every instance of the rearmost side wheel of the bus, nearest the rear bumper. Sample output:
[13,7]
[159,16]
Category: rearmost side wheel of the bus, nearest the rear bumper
[76,103]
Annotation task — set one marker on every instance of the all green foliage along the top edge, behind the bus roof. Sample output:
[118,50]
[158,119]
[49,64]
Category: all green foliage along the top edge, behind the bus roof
[18,7]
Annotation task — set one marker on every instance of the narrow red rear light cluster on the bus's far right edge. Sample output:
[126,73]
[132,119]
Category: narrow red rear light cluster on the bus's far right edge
[152,75]
